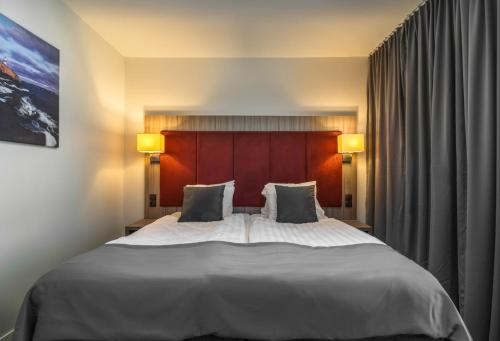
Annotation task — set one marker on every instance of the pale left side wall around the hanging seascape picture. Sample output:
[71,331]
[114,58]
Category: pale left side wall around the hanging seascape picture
[56,203]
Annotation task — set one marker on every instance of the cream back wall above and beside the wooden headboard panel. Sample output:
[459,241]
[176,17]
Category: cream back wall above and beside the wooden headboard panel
[248,86]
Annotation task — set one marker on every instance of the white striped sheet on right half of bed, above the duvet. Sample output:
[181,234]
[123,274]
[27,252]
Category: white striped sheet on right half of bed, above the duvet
[324,233]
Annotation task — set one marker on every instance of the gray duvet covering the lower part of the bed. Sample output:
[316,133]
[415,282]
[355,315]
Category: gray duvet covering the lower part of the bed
[271,291]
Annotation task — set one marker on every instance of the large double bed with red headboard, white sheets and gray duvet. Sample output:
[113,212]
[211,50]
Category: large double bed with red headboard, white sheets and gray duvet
[243,277]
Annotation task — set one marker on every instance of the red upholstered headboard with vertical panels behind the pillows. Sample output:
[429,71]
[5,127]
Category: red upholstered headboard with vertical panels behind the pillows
[252,159]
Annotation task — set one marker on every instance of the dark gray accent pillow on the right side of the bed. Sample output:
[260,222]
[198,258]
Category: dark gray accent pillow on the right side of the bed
[295,205]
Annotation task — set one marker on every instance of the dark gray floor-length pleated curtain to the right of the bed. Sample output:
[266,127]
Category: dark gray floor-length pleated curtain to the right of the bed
[433,151]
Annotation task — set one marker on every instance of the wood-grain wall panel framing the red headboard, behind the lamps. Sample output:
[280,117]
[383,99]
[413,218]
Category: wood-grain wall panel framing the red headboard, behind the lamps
[157,122]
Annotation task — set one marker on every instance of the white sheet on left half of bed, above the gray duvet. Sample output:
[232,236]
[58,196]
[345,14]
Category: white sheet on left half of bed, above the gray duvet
[167,231]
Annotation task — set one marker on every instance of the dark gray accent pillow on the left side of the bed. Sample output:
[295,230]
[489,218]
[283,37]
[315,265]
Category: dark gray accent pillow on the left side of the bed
[202,204]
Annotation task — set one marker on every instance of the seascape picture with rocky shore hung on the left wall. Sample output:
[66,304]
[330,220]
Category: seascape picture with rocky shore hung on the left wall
[29,87]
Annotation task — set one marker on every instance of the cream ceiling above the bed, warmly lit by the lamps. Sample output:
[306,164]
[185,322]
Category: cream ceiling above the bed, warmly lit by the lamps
[243,28]
